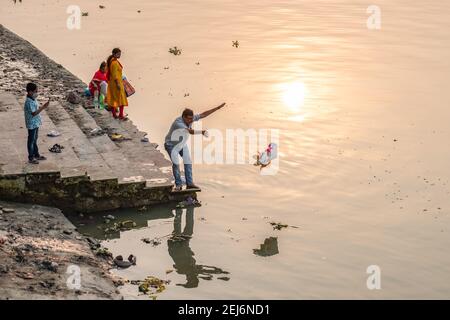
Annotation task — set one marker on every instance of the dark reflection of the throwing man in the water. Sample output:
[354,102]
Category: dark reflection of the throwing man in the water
[183,256]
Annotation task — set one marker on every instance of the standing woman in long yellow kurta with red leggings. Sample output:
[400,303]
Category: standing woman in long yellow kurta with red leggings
[116,97]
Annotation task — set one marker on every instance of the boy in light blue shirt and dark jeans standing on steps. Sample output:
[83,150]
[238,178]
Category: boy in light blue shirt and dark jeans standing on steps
[33,122]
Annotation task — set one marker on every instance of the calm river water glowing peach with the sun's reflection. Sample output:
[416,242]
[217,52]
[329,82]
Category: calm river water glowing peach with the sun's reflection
[362,114]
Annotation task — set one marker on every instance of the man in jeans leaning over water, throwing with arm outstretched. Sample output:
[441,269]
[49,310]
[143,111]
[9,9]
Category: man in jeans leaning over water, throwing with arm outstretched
[175,144]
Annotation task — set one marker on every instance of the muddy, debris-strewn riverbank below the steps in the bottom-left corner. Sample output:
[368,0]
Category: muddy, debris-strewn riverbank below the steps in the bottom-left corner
[42,254]
